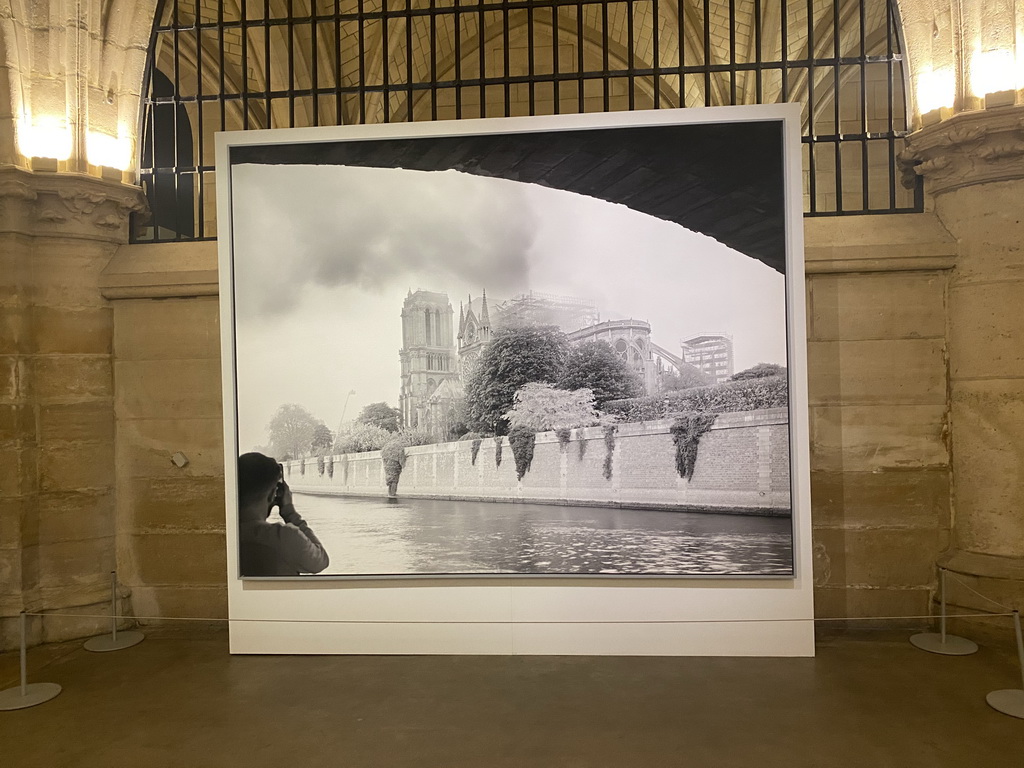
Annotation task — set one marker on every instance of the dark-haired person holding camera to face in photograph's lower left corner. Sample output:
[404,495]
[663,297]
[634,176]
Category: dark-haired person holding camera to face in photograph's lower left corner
[273,549]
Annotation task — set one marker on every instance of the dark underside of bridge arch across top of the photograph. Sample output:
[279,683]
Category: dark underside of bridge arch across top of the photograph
[722,180]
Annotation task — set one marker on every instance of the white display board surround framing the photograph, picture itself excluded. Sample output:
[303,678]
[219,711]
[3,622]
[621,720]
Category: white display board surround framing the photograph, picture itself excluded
[540,613]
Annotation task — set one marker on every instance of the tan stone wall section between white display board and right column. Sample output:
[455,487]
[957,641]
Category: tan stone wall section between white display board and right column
[880,455]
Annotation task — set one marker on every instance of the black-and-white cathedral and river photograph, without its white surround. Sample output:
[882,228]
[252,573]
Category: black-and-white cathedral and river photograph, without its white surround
[528,353]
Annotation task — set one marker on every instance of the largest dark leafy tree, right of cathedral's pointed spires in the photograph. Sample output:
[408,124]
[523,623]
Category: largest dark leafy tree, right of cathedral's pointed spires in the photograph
[516,357]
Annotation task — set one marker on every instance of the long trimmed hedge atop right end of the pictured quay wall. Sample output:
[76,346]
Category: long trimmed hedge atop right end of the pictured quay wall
[747,395]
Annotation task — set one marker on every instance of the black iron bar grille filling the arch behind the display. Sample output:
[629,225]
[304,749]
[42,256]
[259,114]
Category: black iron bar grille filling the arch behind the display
[231,65]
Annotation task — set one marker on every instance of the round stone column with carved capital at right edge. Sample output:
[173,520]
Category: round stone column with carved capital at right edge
[974,169]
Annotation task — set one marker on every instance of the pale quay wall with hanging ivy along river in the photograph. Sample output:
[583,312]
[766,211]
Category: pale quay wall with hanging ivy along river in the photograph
[743,466]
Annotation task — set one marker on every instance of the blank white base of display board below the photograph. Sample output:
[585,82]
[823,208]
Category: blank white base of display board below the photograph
[708,619]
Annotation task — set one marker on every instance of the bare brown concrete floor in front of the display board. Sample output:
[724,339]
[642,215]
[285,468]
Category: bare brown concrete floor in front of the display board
[869,701]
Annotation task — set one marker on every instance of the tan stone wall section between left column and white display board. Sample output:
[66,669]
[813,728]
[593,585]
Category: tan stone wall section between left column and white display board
[170,520]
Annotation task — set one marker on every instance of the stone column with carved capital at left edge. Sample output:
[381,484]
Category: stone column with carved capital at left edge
[57,398]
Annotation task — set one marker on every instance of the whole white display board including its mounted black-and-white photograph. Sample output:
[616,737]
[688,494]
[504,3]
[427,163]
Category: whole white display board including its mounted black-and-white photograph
[520,386]
